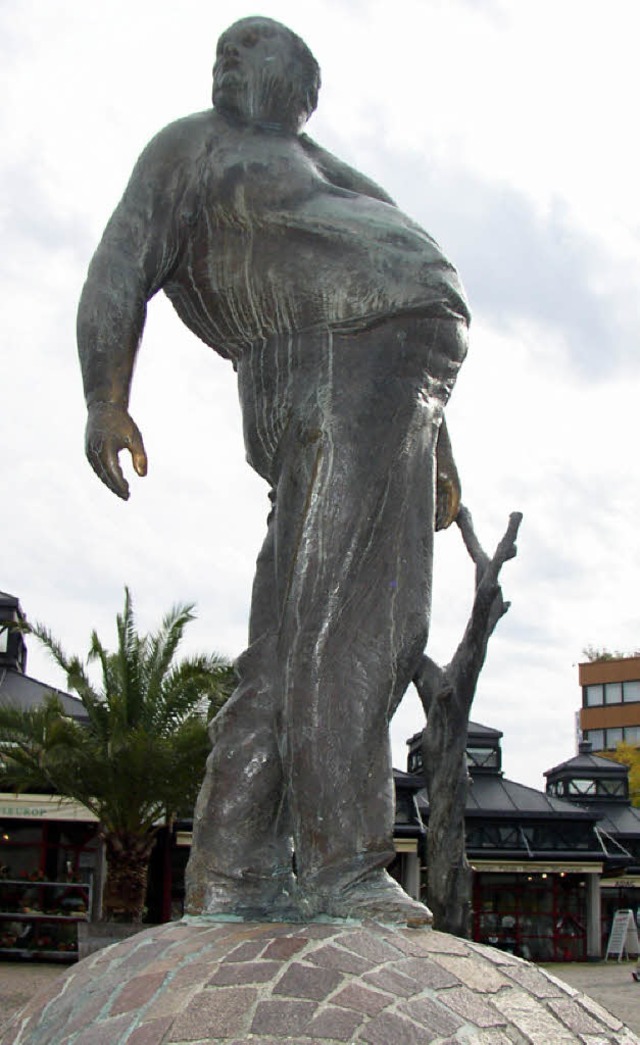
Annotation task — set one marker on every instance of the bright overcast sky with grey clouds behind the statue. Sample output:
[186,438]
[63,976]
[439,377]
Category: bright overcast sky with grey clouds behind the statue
[510,131]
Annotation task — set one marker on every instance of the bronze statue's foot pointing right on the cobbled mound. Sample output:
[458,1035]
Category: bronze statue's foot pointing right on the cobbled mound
[376,898]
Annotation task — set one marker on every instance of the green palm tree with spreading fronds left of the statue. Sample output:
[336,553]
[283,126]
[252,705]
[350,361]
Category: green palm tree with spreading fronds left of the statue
[139,757]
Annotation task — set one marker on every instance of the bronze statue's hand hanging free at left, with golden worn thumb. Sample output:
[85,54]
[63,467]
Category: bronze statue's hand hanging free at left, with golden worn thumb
[109,431]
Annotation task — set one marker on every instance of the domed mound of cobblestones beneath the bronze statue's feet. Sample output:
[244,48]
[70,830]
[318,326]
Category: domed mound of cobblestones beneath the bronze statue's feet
[236,983]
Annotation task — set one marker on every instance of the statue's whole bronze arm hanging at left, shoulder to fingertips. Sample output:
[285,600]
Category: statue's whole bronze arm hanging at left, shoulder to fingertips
[136,256]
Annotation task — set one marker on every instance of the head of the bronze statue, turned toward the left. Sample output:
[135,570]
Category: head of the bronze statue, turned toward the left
[266,75]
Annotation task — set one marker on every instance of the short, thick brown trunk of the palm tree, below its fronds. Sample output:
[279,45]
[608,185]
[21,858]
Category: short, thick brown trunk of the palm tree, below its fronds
[128,857]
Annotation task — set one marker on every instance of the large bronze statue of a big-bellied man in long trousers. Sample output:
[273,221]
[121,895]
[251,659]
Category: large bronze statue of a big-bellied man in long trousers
[347,326]
